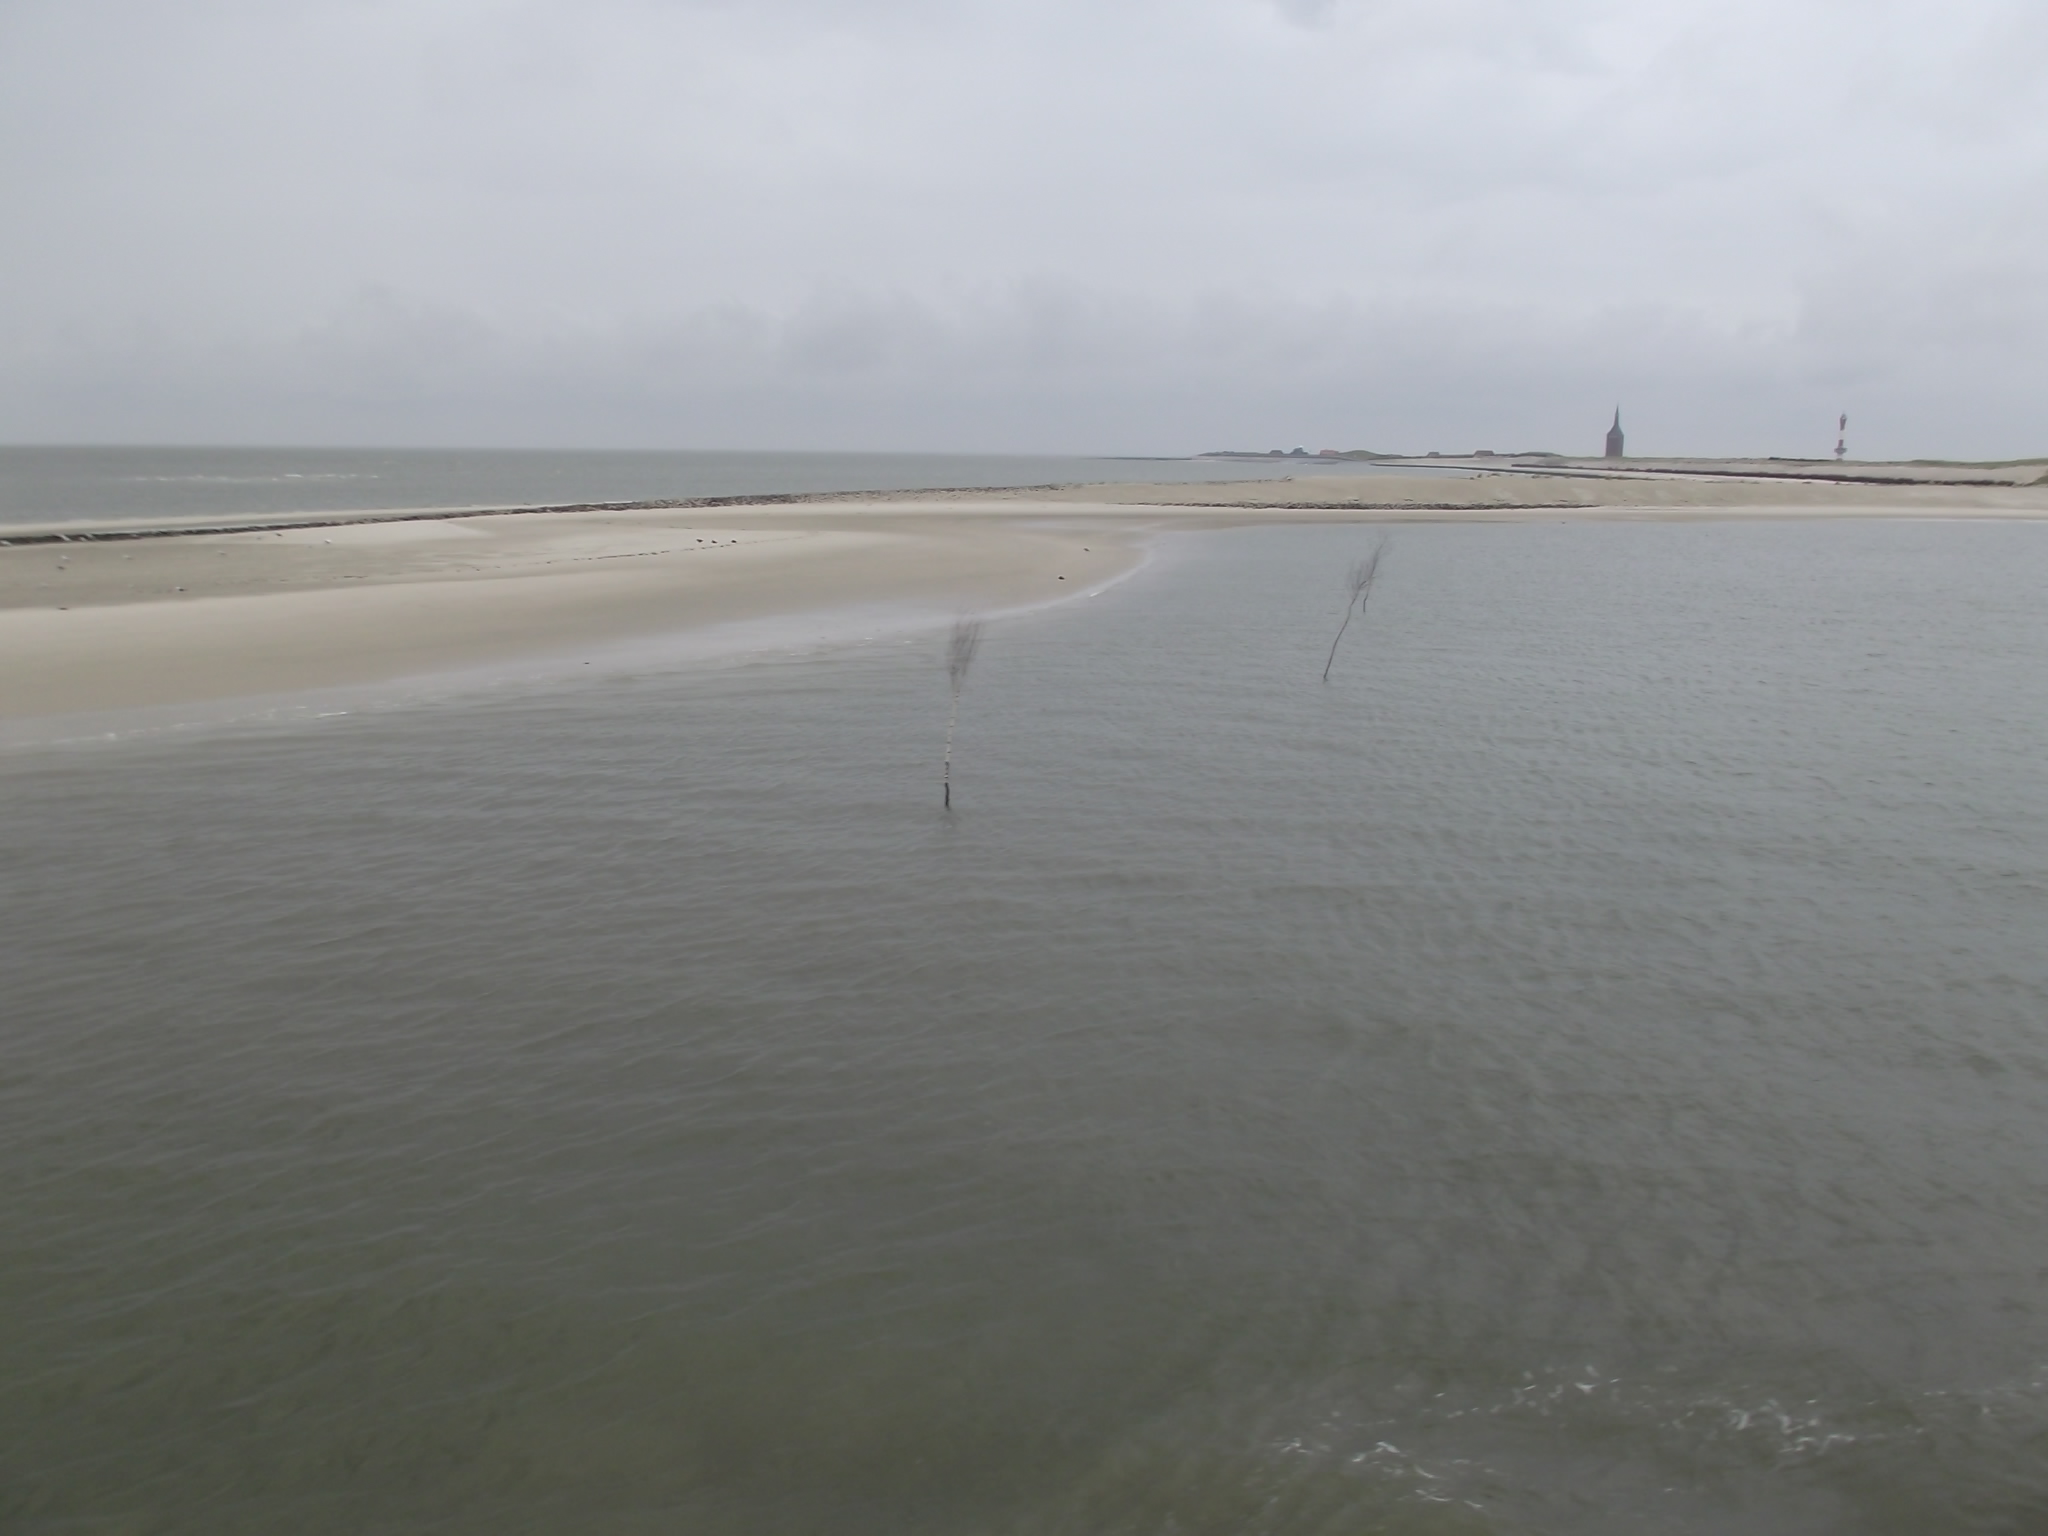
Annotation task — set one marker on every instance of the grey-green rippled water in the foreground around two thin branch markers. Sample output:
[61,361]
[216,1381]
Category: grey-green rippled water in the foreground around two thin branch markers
[1582,1070]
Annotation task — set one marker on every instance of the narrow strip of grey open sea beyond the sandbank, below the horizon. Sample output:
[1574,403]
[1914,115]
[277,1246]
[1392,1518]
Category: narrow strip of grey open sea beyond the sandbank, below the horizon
[52,484]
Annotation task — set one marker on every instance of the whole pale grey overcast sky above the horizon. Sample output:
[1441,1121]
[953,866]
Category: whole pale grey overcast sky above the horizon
[1125,226]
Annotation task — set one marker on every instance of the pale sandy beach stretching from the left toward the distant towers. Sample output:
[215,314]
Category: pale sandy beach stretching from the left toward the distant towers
[93,624]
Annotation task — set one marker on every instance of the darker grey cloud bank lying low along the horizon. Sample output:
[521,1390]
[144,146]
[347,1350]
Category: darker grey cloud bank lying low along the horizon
[1041,366]
